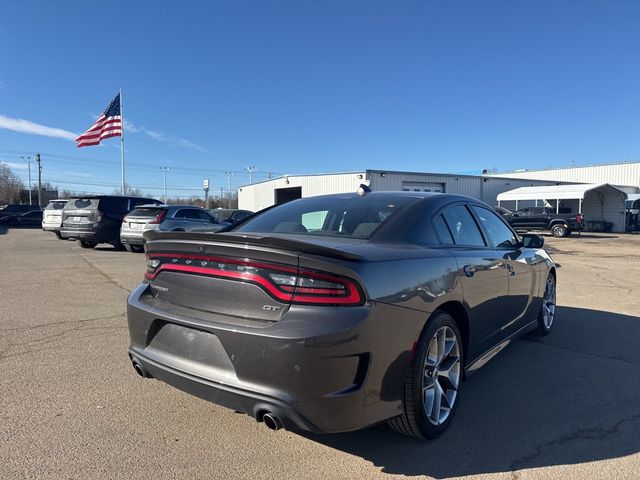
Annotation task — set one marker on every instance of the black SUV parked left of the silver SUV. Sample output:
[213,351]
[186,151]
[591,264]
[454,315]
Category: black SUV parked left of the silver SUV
[97,219]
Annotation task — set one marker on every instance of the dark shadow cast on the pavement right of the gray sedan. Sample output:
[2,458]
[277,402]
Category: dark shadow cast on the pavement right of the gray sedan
[568,398]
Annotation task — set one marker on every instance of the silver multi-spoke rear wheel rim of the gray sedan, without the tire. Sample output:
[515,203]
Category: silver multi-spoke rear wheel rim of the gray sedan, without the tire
[441,377]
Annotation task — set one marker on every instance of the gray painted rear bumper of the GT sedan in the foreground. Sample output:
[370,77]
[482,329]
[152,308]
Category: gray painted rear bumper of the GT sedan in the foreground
[321,369]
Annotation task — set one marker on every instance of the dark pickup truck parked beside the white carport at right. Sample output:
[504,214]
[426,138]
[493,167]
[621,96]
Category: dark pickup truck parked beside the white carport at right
[543,218]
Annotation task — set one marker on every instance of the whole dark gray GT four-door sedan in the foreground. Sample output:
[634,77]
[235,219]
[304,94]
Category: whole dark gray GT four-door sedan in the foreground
[356,309]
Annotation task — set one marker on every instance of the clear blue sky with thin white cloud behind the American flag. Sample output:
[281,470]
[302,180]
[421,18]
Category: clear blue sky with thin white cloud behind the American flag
[307,87]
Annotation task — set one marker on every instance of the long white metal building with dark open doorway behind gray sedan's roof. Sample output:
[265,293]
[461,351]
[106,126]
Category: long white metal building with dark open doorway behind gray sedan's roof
[289,187]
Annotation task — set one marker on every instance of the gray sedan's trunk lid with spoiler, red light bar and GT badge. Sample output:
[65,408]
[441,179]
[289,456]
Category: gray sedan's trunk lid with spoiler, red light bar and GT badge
[244,276]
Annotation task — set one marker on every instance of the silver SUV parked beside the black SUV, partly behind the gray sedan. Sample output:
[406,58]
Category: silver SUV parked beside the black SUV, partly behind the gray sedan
[164,218]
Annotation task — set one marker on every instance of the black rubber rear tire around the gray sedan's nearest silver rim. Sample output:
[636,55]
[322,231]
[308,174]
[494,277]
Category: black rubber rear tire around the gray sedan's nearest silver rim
[414,422]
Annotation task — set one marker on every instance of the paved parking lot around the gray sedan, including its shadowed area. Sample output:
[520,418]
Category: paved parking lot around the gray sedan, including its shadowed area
[71,406]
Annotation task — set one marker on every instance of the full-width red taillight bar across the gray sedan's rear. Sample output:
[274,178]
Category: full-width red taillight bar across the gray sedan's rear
[287,284]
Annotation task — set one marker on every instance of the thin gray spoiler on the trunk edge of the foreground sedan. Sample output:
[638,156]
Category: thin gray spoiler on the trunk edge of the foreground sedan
[253,239]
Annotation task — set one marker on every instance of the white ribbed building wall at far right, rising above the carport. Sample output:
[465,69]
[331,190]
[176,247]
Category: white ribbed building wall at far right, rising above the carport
[624,175]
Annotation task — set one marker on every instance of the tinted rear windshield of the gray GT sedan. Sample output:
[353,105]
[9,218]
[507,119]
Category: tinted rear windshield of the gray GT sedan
[350,217]
